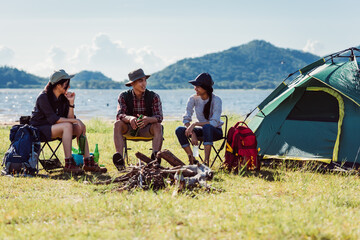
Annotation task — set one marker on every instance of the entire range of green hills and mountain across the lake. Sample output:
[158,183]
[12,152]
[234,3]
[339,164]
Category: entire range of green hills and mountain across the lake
[257,64]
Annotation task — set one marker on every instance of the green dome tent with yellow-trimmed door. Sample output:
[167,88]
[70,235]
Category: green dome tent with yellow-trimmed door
[316,116]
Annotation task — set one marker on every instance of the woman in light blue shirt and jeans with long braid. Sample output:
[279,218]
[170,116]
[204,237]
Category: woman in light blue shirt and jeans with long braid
[208,109]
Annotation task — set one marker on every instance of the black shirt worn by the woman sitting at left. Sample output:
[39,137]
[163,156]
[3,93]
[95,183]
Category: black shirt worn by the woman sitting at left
[48,109]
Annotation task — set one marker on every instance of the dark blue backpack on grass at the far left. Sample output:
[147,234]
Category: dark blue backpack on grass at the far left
[22,155]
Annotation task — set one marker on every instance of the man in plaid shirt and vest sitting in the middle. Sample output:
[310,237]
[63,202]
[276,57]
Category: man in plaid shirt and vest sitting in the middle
[133,104]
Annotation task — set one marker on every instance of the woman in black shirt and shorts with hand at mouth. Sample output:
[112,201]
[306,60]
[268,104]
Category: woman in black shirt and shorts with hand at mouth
[54,116]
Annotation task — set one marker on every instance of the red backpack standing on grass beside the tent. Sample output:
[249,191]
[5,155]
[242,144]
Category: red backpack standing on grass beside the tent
[241,148]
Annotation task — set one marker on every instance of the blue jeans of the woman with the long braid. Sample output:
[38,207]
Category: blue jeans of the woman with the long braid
[208,132]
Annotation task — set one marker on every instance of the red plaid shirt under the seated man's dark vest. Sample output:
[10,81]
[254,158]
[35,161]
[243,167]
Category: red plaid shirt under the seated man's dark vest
[139,107]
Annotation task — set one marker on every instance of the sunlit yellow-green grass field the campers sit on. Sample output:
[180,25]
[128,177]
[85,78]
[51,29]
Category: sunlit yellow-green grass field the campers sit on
[277,203]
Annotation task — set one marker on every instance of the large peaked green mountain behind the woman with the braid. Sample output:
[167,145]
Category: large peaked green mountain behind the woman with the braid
[257,64]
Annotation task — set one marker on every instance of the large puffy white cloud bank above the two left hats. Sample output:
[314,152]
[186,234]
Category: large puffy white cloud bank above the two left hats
[103,54]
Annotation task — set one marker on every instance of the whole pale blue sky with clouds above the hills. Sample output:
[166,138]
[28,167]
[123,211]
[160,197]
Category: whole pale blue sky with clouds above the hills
[118,36]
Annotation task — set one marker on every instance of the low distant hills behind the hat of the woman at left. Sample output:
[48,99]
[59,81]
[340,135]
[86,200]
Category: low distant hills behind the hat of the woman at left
[15,78]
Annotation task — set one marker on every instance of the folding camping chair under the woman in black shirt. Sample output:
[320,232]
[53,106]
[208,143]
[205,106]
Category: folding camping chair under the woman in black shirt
[52,163]
